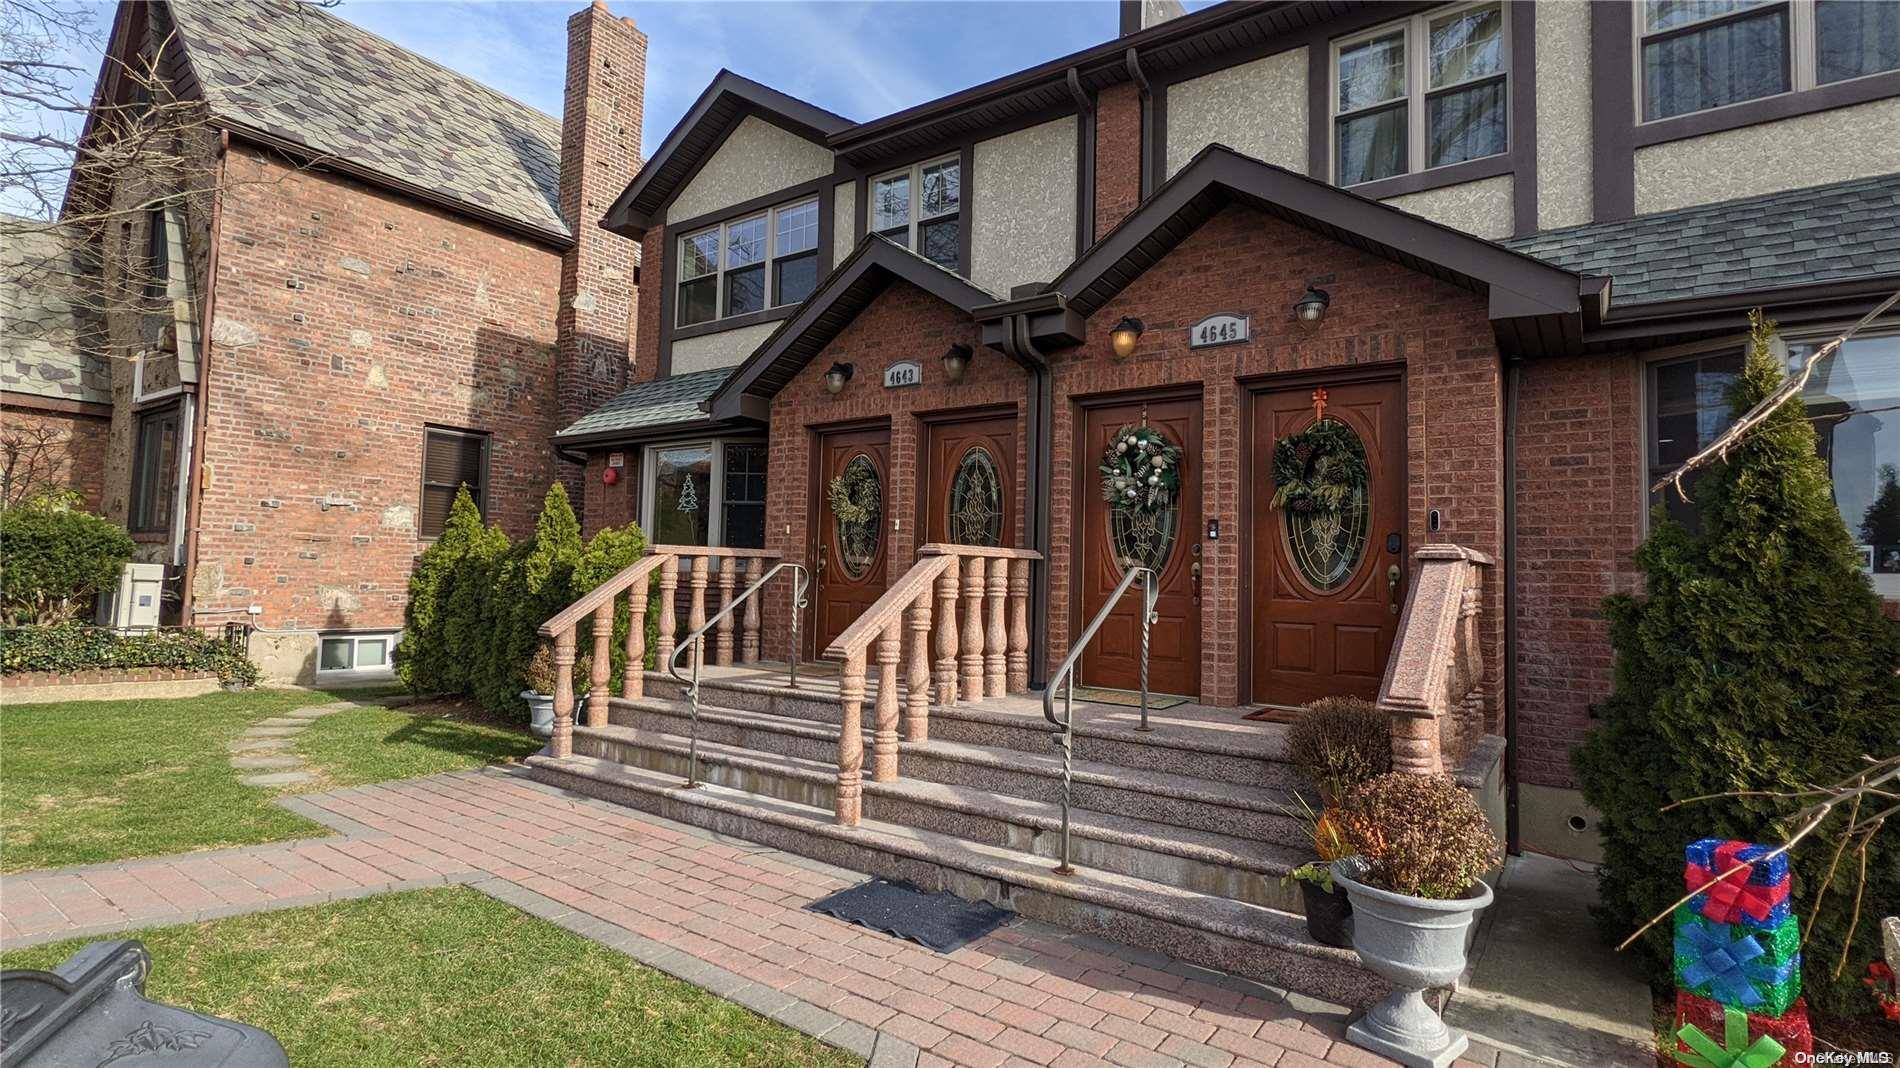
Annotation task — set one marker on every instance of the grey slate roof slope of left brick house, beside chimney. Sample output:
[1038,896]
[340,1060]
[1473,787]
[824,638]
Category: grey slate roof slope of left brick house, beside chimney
[307,77]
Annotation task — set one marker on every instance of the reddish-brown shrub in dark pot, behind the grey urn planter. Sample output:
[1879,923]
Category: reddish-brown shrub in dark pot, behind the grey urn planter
[1337,744]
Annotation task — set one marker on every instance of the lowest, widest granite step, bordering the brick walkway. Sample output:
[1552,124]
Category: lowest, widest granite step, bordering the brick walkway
[1200,928]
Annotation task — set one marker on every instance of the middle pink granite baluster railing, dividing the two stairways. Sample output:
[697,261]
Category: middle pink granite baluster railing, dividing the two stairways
[978,605]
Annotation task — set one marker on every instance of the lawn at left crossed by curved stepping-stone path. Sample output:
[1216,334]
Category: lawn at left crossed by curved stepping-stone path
[92,782]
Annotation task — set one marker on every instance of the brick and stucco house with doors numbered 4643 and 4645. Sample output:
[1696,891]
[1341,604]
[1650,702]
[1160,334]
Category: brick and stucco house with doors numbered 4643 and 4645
[1517,273]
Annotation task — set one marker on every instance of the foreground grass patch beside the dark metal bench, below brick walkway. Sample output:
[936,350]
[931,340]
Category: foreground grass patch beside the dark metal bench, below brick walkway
[447,978]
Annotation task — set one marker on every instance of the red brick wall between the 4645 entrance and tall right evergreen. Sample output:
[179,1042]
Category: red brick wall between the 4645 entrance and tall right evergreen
[1580,520]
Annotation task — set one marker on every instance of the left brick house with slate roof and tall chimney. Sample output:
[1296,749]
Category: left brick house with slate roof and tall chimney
[381,294]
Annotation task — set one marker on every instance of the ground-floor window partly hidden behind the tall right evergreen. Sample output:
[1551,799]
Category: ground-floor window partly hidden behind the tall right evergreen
[1853,402]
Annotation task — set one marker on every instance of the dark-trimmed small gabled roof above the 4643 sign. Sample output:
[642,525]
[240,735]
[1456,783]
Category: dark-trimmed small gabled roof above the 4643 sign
[846,292]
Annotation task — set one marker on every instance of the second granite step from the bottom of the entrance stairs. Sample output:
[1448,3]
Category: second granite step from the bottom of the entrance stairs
[1240,868]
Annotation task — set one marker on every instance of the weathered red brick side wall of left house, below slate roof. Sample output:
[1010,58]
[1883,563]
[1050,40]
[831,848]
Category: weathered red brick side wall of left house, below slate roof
[349,320]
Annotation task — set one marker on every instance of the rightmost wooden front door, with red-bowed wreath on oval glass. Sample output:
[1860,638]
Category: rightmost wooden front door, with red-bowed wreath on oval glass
[1327,596]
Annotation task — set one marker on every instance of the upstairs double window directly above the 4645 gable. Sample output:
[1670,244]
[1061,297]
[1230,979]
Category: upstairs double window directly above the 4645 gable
[1420,94]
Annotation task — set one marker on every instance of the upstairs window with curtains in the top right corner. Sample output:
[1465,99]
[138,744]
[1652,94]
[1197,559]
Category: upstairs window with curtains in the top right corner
[1707,54]
